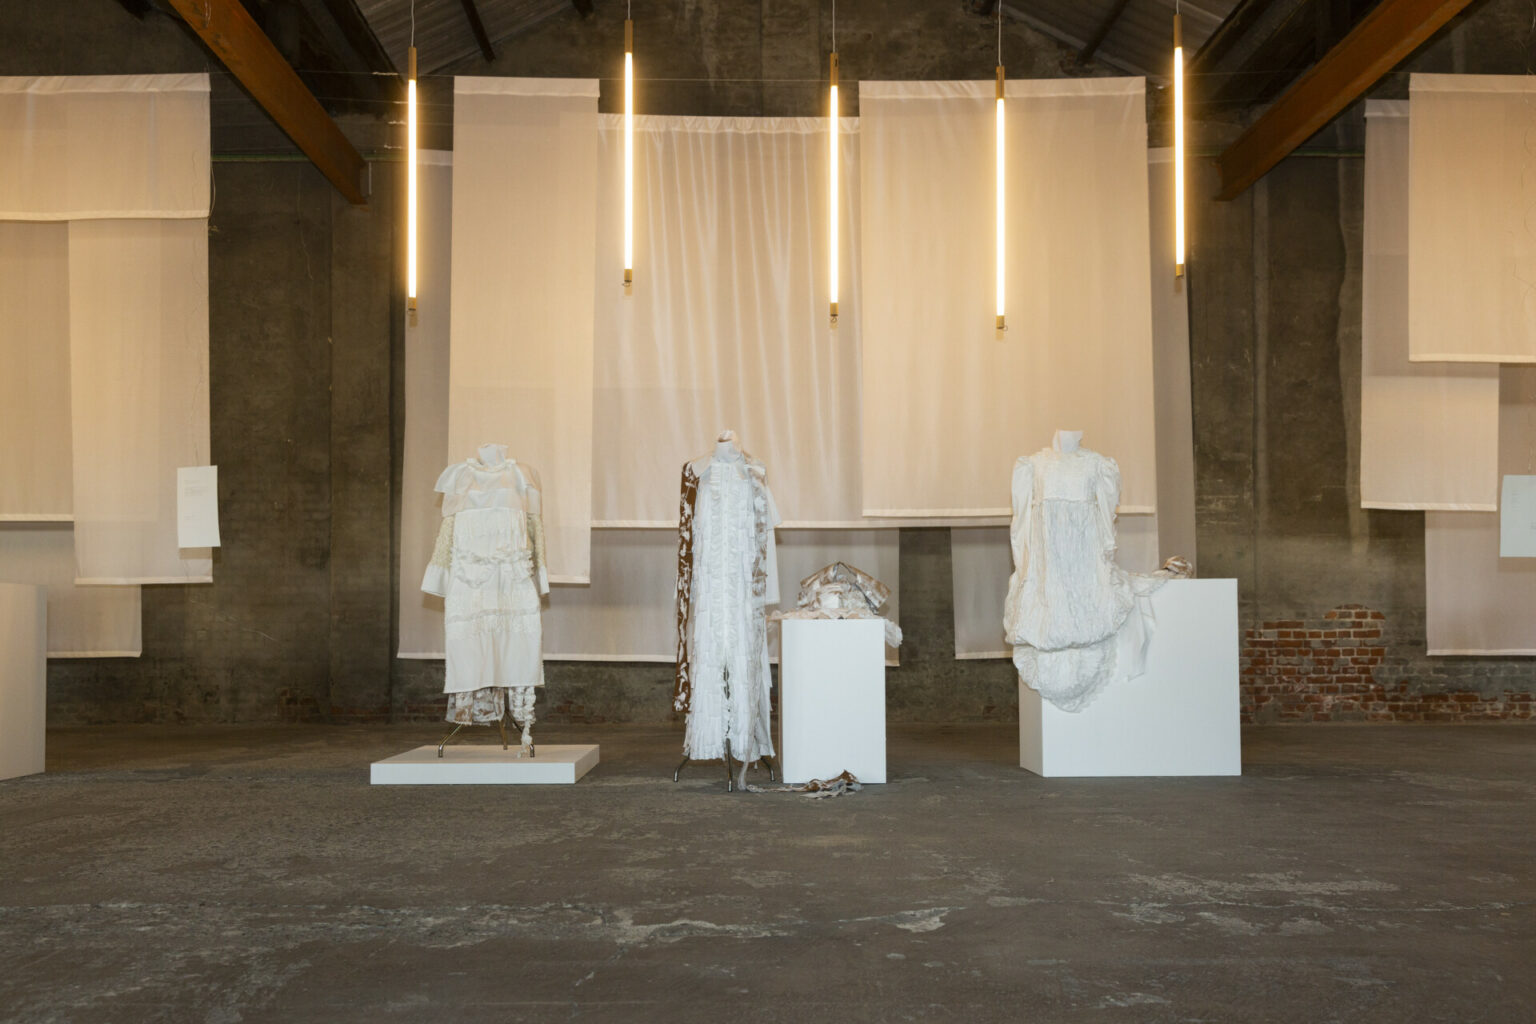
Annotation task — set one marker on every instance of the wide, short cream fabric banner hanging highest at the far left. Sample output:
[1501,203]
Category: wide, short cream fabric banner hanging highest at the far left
[91,147]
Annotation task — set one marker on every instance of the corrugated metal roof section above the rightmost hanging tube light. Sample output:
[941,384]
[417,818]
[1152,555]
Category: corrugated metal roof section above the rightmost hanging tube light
[1142,36]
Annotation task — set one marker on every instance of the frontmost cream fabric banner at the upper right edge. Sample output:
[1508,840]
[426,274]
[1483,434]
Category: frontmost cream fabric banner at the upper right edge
[1472,246]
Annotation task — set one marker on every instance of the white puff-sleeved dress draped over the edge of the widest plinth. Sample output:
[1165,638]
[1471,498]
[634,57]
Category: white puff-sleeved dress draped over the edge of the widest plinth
[1070,606]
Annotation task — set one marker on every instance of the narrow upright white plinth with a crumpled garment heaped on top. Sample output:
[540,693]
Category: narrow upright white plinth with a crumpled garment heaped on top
[832,699]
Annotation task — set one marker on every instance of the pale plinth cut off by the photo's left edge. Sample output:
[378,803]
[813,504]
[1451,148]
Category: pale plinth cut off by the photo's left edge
[24,679]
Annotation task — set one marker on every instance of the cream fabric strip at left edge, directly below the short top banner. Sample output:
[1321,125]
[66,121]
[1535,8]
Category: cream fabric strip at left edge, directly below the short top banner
[35,372]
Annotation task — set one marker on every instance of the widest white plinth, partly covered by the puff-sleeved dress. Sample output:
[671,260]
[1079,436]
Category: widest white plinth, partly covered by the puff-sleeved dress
[1179,719]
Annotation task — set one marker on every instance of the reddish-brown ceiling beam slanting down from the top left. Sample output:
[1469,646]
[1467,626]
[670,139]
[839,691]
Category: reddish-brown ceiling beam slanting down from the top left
[236,39]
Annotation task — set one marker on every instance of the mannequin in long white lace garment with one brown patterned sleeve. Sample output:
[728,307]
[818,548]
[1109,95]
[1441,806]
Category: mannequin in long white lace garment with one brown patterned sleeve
[727,576]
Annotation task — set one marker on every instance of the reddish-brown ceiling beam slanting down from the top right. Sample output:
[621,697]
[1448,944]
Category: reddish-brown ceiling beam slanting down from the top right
[1382,41]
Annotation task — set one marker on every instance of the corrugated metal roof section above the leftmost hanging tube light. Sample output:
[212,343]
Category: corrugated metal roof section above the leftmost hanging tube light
[443,31]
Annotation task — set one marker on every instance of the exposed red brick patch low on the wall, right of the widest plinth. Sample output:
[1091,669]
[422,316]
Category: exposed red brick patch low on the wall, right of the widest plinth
[1337,670]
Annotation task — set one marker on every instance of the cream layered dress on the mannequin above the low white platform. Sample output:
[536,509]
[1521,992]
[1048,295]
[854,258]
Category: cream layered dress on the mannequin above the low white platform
[489,569]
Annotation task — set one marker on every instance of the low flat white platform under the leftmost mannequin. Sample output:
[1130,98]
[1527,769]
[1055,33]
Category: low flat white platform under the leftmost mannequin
[486,765]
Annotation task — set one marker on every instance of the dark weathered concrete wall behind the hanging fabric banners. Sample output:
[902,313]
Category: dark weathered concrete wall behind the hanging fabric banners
[306,392]
